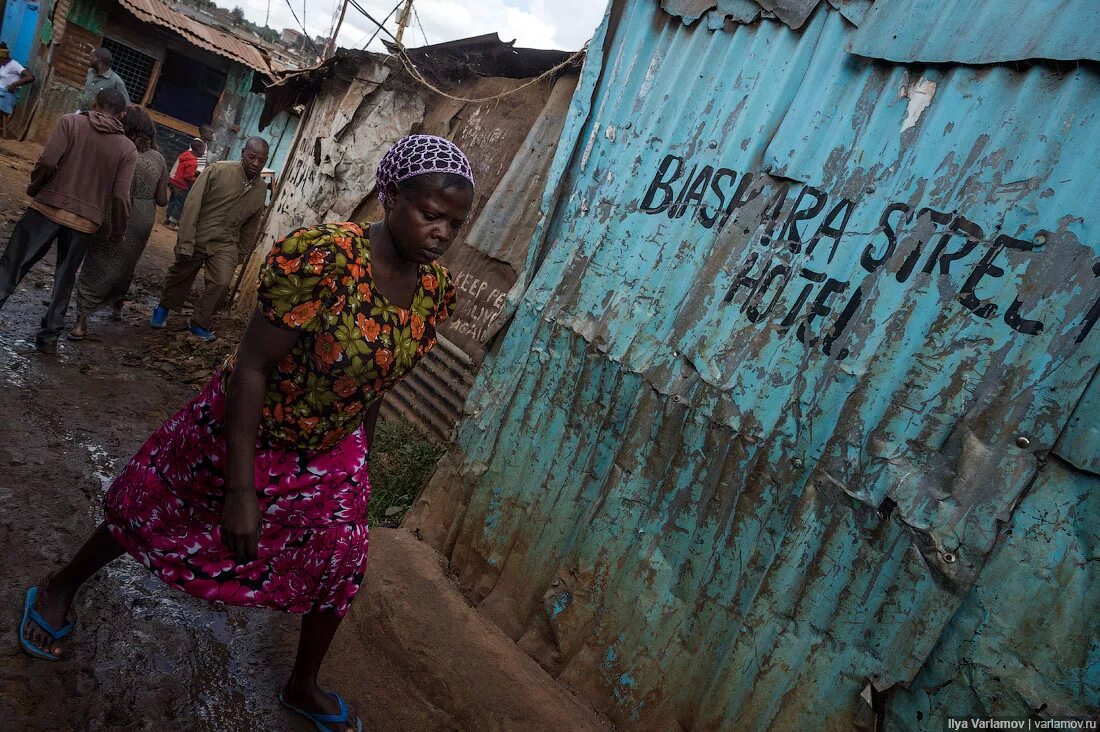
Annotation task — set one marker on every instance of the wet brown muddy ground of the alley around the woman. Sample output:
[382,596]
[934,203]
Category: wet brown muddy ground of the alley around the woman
[411,655]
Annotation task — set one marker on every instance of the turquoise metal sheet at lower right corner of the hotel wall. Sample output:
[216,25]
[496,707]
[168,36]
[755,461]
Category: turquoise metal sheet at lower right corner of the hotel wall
[1026,638]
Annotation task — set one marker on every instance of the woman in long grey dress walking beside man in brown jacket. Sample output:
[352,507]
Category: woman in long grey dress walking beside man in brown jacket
[109,266]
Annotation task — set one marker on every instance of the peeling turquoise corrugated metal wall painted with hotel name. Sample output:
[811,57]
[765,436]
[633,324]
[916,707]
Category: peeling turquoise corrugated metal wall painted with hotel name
[774,428]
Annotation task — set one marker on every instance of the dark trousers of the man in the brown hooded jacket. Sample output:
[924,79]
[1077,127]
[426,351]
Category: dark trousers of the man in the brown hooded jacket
[30,242]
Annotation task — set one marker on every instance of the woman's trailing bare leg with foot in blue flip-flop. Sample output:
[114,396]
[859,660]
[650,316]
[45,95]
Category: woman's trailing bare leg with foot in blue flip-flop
[57,594]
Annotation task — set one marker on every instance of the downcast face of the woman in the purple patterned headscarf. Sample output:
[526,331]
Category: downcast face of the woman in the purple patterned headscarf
[424,220]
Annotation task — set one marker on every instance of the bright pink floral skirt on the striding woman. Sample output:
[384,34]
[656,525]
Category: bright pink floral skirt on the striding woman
[166,509]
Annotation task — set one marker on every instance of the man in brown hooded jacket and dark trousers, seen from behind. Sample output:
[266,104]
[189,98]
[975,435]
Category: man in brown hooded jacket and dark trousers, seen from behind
[86,167]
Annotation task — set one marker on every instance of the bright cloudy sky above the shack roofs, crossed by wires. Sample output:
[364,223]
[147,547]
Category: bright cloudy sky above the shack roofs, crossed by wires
[563,25]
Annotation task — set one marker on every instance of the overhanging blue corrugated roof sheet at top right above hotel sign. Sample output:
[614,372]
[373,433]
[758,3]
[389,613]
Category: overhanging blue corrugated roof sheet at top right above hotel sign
[980,31]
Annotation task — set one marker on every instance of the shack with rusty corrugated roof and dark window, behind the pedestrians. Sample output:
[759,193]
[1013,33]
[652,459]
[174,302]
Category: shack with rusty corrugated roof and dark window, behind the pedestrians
[186,74]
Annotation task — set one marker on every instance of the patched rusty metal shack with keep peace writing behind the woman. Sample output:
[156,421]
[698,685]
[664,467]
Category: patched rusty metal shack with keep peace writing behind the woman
[504,106]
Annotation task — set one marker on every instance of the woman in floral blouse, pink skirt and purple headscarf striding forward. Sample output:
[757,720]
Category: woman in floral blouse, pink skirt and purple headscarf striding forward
[256,494]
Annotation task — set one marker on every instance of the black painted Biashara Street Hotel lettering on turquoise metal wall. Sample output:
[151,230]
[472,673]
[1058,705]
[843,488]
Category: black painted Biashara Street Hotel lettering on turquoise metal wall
[927,243]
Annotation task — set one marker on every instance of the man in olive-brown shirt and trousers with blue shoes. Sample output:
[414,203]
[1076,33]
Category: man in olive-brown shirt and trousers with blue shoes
[217,232]
